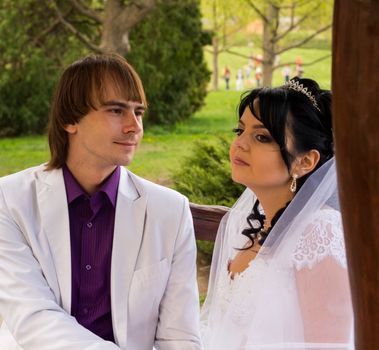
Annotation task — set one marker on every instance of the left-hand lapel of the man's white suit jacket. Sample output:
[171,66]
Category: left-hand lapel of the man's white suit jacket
[52,201]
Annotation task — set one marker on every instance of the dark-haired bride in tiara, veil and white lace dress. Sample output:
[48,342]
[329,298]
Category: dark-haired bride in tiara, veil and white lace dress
[278,277]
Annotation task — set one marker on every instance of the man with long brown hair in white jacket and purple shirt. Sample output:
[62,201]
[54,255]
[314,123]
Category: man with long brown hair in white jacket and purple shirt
[92,256]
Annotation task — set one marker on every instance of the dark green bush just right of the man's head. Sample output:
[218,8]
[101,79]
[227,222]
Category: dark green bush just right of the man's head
[167,51]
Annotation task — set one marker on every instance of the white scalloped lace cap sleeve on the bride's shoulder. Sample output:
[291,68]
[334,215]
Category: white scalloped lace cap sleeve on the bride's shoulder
[322,238]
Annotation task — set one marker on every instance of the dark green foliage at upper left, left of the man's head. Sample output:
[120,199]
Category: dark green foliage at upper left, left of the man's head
[33,48]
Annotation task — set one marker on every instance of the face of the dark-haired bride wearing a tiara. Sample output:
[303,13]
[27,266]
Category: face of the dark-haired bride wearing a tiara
[255,157]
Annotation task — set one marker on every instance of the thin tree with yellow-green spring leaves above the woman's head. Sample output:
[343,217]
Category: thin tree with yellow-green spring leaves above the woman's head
[313,17]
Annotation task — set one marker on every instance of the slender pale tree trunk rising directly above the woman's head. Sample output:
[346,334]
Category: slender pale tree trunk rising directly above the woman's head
[270,27]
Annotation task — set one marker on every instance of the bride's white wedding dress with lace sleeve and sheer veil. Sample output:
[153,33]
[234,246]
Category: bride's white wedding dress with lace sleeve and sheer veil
[282,296]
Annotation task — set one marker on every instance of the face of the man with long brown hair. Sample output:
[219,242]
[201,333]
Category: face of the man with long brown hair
[108,136]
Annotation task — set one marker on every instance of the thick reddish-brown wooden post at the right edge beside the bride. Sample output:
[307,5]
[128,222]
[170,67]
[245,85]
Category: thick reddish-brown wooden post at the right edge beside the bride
[356,122]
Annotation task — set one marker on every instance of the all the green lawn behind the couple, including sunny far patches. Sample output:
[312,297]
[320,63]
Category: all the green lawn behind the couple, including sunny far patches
[163,149]
